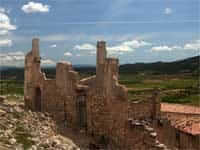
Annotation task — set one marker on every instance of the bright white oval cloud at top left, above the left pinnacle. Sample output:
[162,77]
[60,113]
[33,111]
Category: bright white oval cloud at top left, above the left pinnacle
[33,7]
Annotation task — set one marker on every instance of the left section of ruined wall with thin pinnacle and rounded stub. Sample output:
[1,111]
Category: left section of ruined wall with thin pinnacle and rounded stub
[57,95]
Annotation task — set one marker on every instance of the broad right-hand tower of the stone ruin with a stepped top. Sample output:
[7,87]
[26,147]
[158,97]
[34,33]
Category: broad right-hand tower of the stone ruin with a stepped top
[106,99]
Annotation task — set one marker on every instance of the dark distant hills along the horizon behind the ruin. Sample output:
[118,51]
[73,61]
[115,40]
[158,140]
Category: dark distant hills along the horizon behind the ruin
[189,65]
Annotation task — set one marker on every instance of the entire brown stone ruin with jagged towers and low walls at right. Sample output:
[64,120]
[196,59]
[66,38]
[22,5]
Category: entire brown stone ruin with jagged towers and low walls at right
[97,105]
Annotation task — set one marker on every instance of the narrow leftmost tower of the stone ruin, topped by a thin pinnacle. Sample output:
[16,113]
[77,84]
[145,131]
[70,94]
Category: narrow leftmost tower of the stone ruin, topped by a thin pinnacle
[33,75]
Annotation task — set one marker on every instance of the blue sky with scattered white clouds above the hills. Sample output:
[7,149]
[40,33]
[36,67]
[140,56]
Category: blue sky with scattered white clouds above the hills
[135,30]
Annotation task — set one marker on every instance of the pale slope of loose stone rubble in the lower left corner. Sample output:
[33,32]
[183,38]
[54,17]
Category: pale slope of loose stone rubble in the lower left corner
[26,130]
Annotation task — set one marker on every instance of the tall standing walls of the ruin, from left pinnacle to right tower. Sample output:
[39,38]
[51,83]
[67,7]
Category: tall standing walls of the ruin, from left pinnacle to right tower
[105,100]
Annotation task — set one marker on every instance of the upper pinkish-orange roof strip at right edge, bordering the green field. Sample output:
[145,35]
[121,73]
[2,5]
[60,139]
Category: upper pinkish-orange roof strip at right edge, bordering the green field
[187,109]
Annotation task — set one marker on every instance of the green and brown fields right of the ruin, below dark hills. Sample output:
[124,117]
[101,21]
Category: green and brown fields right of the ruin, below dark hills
[182,89]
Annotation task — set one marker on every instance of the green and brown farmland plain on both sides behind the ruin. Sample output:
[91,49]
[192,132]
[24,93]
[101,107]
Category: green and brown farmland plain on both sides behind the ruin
[180,88]
